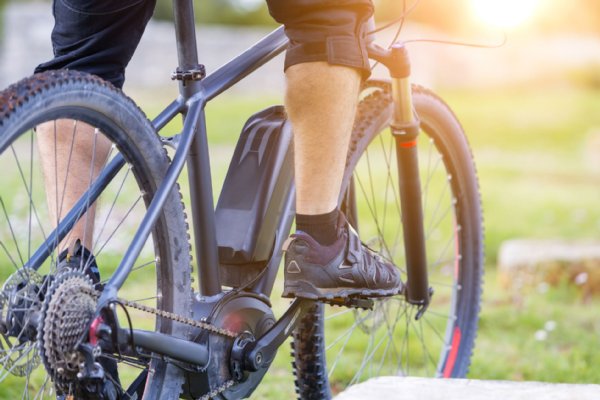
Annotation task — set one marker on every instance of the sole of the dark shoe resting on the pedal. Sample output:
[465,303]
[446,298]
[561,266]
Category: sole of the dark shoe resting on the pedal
[306,290]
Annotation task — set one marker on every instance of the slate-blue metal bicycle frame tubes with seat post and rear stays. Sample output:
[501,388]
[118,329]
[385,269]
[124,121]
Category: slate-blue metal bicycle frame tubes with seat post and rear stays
[192,148]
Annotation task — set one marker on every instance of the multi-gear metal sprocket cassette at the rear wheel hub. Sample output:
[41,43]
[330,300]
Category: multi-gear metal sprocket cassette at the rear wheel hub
[68,308]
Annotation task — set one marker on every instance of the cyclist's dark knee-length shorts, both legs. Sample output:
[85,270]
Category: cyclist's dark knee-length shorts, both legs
[100,37]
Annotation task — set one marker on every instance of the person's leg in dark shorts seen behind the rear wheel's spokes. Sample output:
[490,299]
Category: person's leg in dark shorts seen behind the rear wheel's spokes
[99,38]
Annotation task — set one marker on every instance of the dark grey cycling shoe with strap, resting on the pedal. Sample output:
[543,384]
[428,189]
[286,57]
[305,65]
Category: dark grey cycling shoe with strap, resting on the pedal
[345,268]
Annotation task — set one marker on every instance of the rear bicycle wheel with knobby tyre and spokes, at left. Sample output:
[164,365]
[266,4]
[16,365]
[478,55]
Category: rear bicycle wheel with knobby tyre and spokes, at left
[81,107]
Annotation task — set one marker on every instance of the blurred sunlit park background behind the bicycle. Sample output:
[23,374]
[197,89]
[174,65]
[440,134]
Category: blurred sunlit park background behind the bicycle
[523,76]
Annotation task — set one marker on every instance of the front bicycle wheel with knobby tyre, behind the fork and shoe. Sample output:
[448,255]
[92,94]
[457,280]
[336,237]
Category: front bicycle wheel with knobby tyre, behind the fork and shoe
[334,348]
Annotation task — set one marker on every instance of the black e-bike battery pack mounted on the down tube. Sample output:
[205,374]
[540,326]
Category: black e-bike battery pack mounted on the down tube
[253,196]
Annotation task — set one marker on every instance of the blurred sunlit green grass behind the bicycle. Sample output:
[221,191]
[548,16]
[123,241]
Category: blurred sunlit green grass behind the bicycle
[534,149]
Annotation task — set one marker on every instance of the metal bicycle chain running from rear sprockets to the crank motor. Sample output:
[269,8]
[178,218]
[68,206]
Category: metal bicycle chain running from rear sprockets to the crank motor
[184,320]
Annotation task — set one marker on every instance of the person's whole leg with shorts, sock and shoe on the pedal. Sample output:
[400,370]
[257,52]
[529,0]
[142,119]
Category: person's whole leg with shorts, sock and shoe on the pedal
[324,64]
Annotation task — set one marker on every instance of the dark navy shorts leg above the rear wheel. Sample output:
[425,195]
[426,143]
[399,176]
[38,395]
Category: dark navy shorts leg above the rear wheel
[98,37]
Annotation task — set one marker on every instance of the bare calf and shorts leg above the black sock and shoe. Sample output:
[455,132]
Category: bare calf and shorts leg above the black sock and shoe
[323,69]
